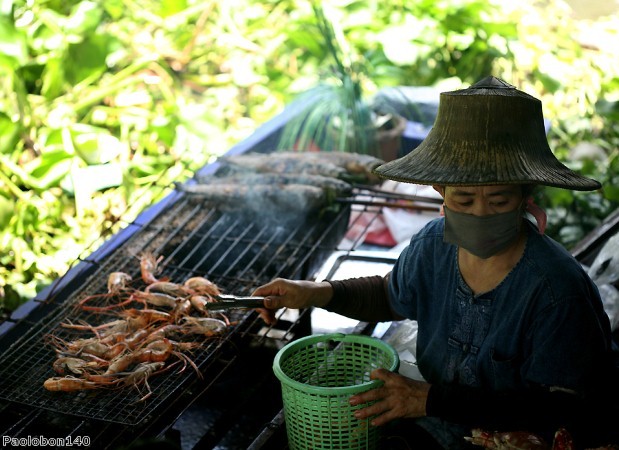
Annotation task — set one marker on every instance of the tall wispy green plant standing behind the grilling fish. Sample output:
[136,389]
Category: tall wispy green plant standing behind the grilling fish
[335,114]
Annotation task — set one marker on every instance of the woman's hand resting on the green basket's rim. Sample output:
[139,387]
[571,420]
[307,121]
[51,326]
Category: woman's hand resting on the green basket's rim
[398,397]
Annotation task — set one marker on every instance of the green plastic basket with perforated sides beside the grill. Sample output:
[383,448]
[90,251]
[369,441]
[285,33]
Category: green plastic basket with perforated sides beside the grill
[318,374]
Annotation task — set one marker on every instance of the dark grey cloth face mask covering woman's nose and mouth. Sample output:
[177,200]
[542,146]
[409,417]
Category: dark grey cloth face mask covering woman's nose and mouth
[483,236]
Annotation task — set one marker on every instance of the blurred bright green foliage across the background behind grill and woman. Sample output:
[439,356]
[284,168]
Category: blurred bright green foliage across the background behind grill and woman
[103,104]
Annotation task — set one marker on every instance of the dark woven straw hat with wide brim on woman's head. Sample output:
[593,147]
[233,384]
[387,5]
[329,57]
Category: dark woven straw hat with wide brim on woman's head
[490,133]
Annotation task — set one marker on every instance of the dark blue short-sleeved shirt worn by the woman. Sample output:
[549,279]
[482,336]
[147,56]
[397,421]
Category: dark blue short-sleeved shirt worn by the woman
[544,324]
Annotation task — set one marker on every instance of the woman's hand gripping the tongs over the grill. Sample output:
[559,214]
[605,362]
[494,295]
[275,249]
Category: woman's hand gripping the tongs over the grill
[281,293]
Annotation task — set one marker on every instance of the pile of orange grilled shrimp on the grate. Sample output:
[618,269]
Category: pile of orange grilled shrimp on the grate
[147,333]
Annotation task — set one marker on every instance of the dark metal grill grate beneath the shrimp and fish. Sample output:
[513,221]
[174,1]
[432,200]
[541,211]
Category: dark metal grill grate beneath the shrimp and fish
[195,239]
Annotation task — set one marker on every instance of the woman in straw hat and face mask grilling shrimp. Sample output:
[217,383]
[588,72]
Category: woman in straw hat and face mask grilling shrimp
[512,333]
